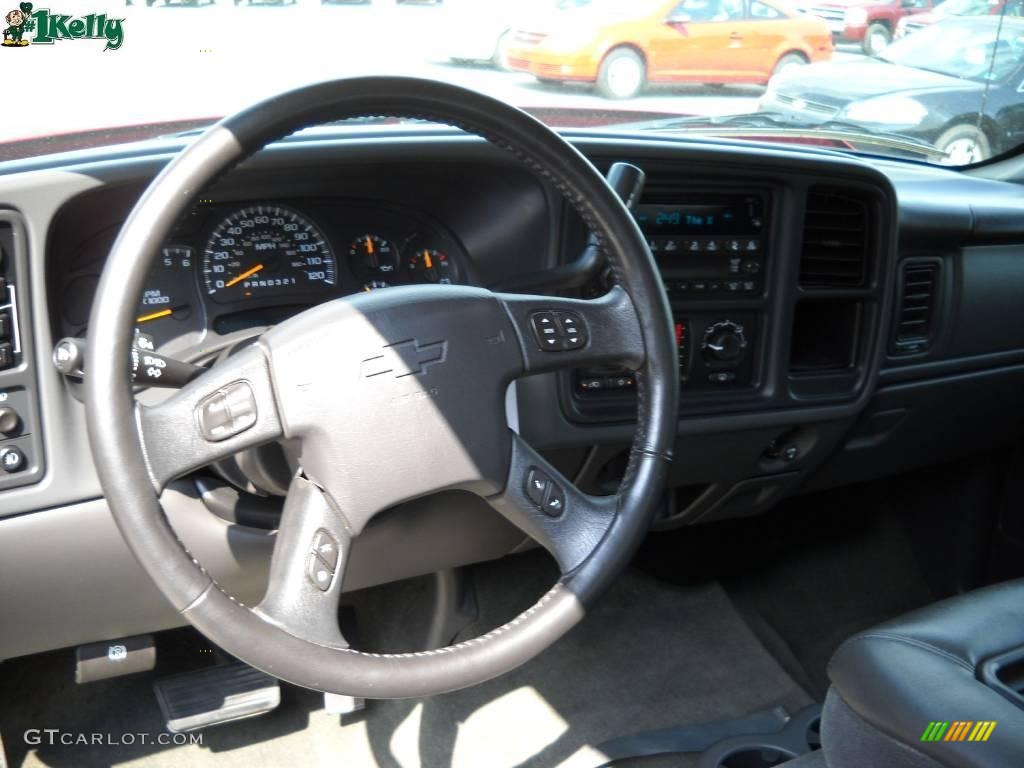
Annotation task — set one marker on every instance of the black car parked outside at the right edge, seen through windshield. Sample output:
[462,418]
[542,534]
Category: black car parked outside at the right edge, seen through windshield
[956,86]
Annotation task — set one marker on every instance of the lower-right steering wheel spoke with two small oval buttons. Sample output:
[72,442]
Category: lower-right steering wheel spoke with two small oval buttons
[547,506]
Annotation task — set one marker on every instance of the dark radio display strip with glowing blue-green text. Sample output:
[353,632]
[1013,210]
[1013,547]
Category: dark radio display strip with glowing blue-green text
[723,217]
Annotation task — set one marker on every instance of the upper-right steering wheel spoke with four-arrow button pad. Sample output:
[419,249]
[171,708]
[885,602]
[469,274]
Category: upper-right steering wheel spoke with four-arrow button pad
[558,333]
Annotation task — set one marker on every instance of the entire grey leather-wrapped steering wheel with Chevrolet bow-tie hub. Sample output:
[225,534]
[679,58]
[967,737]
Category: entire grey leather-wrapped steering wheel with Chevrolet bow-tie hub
[408,383]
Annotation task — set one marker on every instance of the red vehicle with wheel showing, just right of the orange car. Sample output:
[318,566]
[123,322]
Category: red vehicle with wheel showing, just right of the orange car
[871,23]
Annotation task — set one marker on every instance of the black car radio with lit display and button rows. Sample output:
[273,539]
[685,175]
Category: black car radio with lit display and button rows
[707,244]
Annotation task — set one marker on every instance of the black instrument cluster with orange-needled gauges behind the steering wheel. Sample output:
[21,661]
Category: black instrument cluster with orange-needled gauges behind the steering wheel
[234,267]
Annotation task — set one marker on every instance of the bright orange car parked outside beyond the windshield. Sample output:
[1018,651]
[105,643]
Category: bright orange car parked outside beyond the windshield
[623,46]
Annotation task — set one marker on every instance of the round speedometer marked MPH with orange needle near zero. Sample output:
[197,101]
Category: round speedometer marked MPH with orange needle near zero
[267,250]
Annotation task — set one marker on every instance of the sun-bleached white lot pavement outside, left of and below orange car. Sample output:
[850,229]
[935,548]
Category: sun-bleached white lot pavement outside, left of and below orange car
[184,63]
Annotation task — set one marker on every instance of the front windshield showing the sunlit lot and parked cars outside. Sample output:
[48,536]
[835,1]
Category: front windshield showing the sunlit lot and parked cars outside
[90,73]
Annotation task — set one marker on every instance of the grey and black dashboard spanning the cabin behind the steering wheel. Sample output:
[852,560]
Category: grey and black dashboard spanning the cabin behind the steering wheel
[828,311]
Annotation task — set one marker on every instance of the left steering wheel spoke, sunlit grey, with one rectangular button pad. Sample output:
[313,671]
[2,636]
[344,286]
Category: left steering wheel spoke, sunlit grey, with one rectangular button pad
[229,409]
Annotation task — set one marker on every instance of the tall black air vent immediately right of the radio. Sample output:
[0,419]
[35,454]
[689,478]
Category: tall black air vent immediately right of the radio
[836,237]
